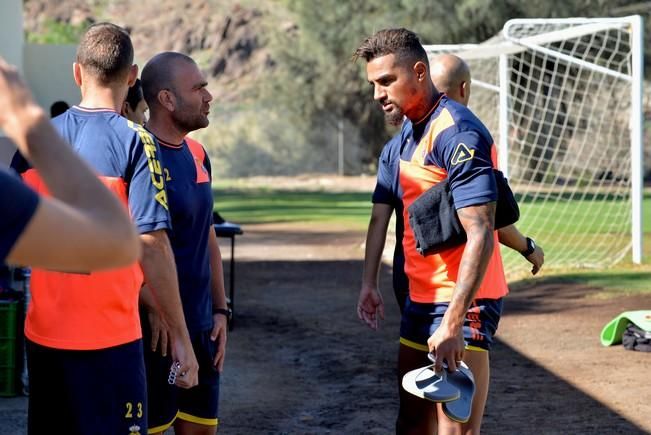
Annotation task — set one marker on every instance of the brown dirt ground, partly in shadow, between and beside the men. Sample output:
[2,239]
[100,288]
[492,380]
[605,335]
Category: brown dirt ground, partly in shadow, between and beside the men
[300,362]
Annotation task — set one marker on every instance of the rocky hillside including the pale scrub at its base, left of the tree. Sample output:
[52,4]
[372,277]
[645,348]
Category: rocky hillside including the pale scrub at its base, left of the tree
[231,42]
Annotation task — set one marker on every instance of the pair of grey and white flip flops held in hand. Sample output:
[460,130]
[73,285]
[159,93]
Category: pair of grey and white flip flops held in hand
[454,390]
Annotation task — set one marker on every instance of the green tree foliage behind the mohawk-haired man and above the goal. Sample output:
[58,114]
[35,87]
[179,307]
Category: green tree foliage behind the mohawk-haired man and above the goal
[316,81]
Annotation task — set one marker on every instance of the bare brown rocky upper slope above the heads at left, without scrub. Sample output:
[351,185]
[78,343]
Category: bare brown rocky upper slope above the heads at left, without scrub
[226,40]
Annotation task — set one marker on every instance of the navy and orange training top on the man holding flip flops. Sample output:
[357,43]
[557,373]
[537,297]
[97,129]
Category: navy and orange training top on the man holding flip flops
[449,142]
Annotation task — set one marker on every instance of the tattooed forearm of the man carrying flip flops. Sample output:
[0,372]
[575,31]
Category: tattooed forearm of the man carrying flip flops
[478,222]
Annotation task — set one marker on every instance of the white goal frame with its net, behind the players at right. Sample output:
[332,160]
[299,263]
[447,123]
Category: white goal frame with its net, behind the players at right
[563,100]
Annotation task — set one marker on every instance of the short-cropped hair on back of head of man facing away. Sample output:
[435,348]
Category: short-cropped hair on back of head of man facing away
[106,52]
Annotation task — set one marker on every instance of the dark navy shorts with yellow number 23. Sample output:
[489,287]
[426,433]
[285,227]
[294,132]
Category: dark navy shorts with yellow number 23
[101,391]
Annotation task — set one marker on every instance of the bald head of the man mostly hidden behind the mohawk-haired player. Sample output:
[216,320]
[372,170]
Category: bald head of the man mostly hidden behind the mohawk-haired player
[451,75]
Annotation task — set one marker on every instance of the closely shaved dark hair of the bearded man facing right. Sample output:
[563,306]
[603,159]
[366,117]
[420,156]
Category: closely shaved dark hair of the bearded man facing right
[159,74]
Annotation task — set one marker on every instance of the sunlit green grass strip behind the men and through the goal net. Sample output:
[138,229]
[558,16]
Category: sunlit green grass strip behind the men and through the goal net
[590,222]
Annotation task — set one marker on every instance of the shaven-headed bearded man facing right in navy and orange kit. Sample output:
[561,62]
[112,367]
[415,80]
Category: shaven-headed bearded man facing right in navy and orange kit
[176,92]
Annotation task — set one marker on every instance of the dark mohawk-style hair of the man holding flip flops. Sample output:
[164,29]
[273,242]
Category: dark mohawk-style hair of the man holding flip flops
[402,43]
